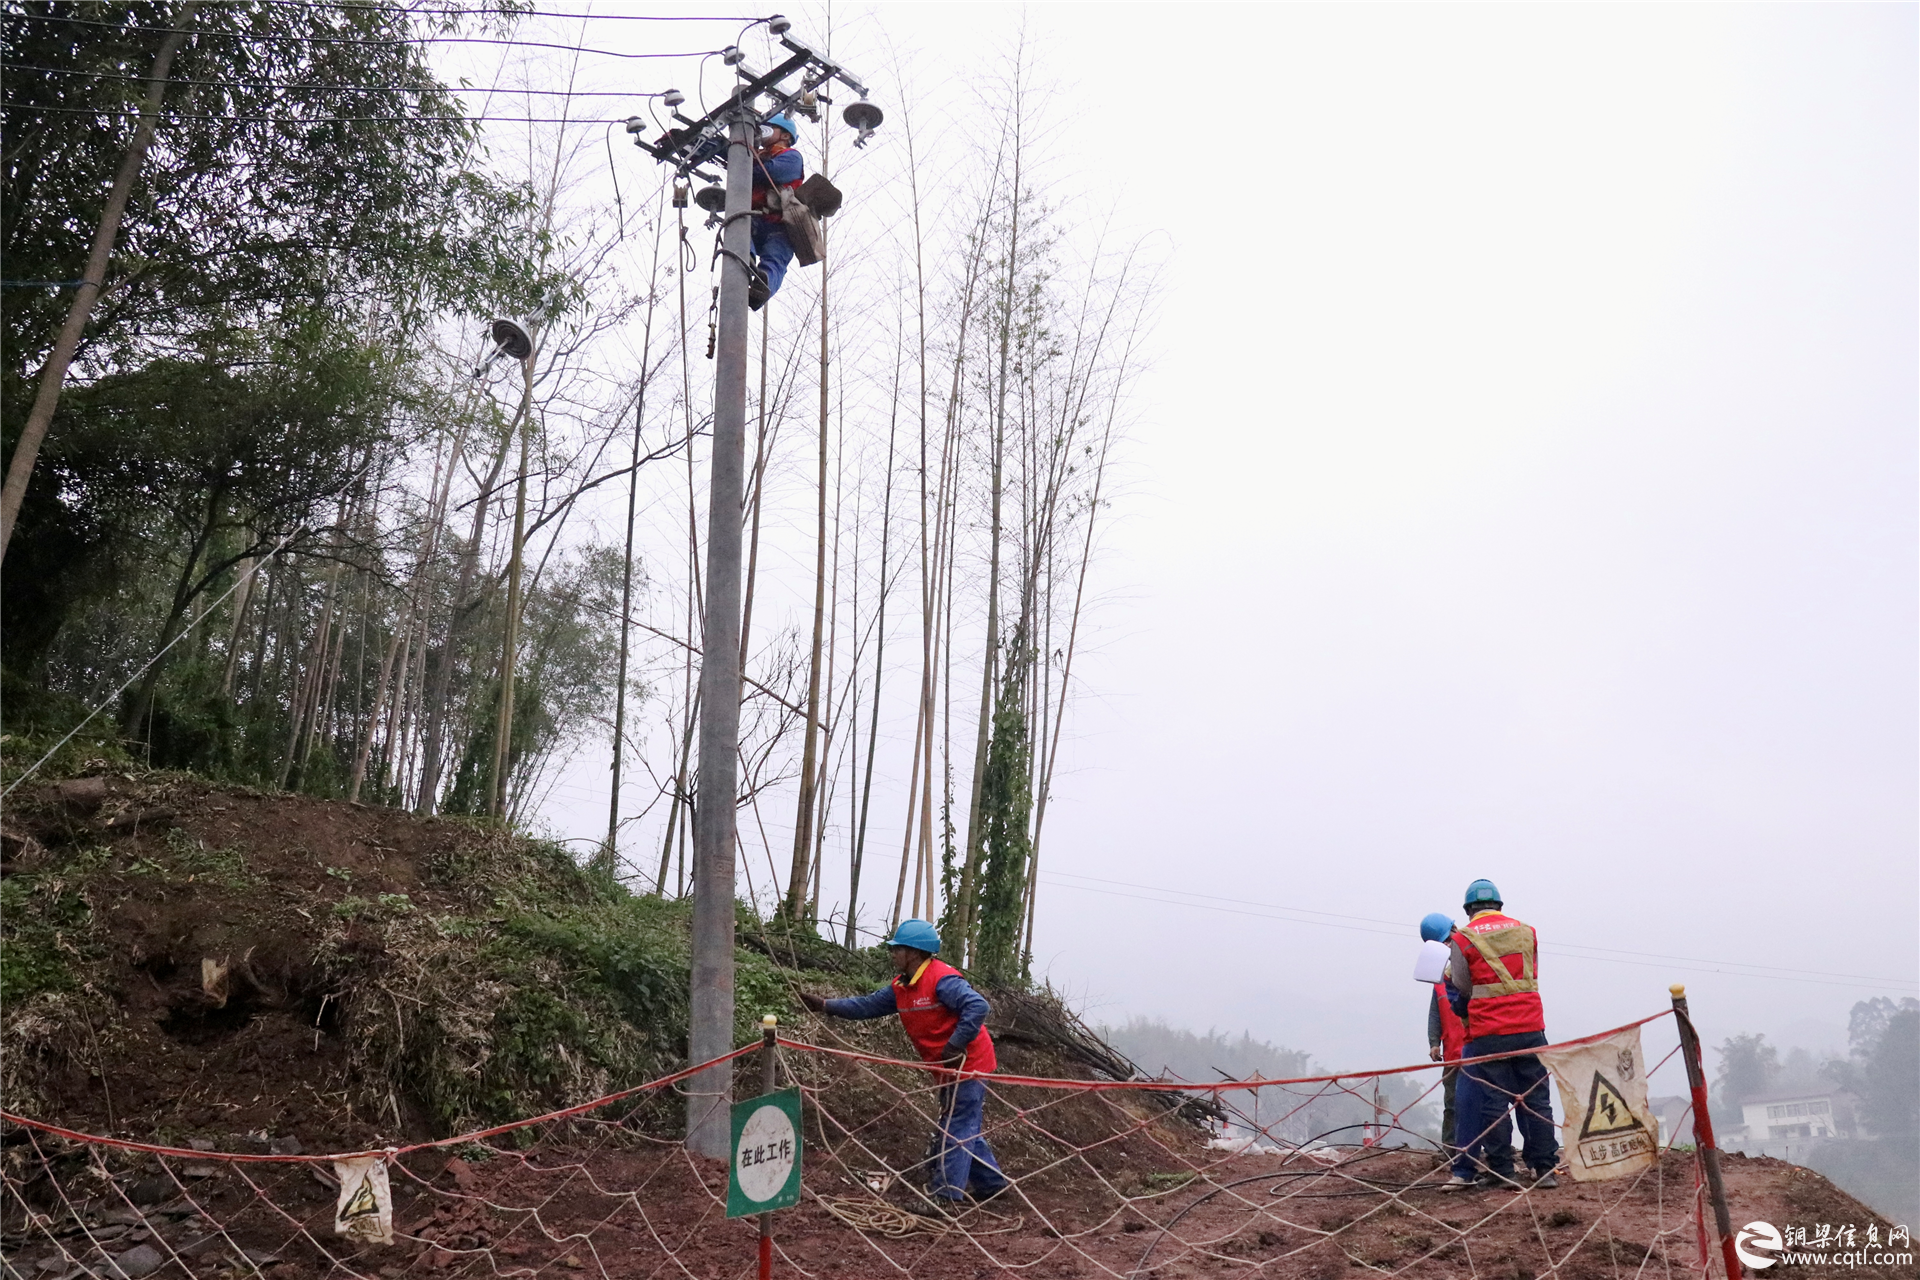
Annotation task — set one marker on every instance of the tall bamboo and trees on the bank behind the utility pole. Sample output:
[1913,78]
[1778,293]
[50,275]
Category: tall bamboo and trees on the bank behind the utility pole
[383,563]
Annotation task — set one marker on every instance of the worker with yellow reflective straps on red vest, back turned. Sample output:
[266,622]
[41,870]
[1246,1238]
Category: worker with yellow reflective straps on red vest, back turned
[1495,970]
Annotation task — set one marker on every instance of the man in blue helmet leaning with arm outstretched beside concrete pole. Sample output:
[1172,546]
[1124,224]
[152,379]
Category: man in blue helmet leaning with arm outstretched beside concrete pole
[946,1020]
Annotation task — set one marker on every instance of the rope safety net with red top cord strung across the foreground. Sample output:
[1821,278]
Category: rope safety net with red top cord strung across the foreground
[1107,1179]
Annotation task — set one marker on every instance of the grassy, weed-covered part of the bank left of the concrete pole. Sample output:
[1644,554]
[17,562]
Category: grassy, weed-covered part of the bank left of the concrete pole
[487,980]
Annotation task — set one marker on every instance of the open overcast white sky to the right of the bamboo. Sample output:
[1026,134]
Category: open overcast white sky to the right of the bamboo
[1525,488]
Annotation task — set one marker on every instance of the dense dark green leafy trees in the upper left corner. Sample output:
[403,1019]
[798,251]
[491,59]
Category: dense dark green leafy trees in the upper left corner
[308,212]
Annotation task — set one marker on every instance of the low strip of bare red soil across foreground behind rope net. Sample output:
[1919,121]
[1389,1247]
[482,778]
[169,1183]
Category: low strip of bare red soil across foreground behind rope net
[621,1208]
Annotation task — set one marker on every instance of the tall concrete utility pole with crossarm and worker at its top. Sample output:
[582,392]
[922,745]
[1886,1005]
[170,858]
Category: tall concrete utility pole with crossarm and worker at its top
[734,130]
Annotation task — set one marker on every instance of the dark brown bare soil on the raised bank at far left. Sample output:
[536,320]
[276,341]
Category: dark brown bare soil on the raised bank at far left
[268,1058]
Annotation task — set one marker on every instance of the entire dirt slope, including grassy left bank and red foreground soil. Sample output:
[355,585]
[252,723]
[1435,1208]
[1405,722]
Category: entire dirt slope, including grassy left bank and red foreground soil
[241,972]
